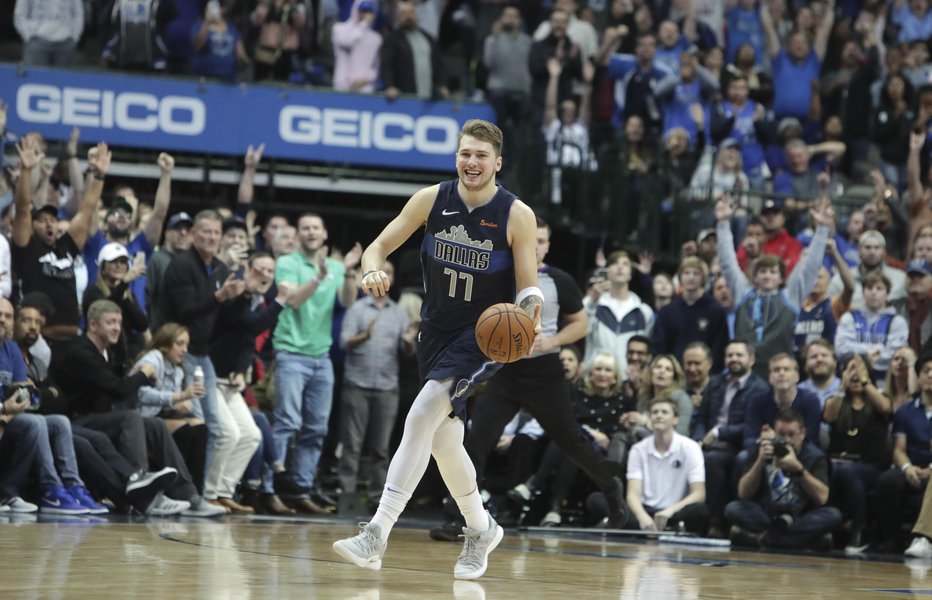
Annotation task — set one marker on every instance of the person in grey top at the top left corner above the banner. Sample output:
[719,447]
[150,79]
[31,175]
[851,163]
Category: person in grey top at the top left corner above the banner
[50,30]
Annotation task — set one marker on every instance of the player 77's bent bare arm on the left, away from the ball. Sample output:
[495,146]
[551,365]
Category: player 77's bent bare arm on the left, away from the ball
[412,216]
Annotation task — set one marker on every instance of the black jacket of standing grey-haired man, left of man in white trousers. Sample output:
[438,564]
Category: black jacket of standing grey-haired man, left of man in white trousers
[188,296]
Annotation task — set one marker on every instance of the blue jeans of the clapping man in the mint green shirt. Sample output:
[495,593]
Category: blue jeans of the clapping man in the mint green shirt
[303,398]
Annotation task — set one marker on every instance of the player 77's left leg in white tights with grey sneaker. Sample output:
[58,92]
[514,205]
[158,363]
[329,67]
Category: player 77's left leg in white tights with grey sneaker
[429,410]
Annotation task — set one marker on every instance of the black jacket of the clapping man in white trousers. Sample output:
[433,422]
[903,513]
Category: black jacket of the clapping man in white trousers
[233,345]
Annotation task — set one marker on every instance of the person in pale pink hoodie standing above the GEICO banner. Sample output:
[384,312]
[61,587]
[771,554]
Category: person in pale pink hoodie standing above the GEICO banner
[356,47]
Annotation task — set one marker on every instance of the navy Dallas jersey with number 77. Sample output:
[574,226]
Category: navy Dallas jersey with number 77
[465,258]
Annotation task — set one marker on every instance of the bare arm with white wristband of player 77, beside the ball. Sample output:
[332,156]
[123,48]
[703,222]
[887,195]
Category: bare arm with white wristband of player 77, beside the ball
[522,235]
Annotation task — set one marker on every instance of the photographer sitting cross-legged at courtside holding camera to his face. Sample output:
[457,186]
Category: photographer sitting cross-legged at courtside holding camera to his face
[783,492]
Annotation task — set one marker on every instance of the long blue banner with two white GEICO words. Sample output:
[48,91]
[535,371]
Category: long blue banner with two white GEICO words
[188,116]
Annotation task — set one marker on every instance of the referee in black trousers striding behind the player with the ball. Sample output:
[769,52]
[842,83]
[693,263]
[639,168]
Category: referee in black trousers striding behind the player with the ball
[538,385]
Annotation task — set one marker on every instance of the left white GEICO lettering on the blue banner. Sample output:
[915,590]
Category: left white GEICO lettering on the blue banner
[129,111]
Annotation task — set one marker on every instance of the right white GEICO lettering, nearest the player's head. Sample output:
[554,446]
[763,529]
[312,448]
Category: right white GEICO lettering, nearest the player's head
[394,132]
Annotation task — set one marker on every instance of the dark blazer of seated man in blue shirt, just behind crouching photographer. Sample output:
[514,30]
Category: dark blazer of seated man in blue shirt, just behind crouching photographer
[713,397]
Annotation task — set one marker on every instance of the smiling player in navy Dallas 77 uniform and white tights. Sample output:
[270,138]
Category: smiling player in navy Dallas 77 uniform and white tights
[478,249]
